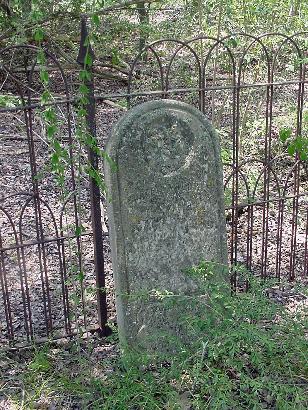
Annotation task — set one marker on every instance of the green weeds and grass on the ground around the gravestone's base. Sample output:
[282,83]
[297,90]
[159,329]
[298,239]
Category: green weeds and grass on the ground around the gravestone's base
[246,352]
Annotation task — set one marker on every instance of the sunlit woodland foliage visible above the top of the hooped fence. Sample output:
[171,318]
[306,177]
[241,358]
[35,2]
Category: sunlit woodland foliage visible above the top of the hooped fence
[121,20]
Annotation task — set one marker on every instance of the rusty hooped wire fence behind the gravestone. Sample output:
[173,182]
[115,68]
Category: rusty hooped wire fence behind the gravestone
[55,274]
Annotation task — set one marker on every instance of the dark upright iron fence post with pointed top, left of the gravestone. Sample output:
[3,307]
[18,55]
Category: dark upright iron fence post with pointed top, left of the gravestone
[84,50]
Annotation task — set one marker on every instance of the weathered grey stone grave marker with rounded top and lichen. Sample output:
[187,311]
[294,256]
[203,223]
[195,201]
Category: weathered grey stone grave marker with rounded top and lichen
[166,214]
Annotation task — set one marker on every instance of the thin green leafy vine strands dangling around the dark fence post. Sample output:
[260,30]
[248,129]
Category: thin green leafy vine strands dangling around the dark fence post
[81,157]
